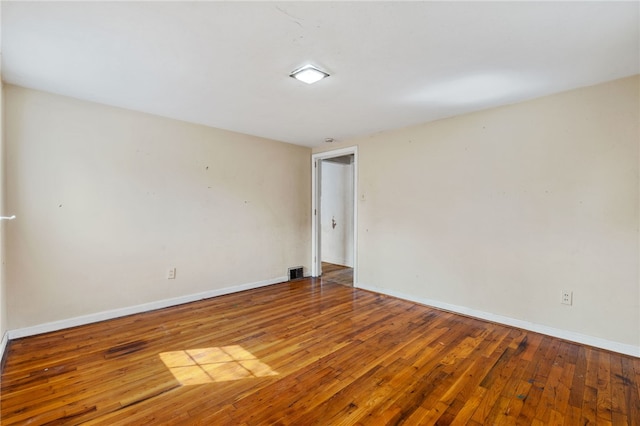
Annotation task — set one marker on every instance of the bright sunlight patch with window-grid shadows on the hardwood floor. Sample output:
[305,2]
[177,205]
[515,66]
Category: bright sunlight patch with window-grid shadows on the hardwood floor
[216,364]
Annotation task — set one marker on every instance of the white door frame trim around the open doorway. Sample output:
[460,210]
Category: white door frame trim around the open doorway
[316,261]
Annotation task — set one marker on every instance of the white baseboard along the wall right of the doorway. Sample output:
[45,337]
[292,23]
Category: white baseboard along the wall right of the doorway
[526,325]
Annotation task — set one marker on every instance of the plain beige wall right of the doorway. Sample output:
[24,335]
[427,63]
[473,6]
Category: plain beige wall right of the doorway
[500,210]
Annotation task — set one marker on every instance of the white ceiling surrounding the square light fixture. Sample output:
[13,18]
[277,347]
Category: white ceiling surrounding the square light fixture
[392,64]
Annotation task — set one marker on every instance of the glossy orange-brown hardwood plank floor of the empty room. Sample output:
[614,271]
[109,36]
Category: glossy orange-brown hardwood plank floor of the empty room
[308,352]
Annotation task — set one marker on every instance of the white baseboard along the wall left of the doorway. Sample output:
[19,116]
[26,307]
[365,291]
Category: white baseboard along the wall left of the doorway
[121,312]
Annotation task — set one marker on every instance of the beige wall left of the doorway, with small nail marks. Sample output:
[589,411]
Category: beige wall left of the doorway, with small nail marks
[108,199]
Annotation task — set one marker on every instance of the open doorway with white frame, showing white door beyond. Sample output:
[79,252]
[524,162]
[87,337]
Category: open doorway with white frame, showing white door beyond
[334,210]
